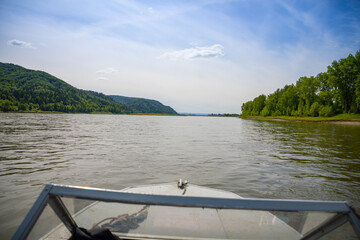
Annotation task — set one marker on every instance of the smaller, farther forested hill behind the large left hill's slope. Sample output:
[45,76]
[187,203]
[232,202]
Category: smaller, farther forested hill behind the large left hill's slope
[143,105]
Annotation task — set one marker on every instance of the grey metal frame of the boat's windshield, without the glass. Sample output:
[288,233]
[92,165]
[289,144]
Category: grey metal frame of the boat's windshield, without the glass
[51,195]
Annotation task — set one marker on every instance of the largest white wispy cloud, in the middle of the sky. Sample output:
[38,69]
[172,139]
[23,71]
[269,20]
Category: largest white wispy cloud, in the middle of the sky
[215,50]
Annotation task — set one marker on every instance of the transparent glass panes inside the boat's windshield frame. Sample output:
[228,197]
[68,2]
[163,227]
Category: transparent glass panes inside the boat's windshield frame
[170,222]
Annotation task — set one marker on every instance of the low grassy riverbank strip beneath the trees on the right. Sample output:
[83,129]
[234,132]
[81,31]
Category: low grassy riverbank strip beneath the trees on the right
[344,119]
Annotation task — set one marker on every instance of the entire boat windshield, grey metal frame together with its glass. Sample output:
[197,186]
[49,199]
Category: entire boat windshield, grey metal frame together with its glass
[63,211]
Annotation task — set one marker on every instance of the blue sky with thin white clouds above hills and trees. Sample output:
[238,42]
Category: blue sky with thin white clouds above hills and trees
[195,56]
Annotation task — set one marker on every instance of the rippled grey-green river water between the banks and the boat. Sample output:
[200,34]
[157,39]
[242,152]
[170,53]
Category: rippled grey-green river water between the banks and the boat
[315,161]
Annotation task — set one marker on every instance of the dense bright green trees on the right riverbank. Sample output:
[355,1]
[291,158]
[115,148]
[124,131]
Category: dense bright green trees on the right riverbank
[333,92]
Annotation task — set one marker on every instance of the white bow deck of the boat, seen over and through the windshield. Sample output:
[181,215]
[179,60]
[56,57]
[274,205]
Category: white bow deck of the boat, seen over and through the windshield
[163,222]
